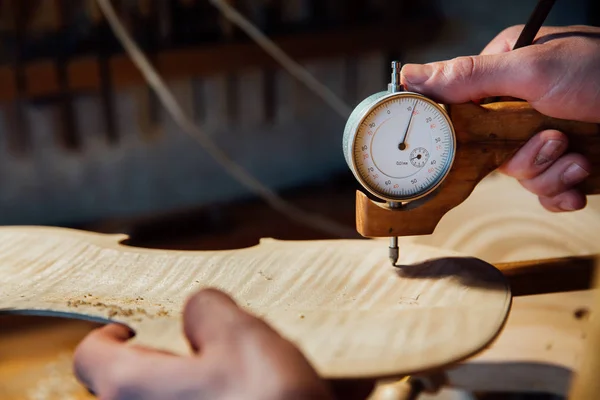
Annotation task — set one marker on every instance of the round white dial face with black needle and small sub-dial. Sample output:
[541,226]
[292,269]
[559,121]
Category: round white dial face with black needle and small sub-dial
[404,147]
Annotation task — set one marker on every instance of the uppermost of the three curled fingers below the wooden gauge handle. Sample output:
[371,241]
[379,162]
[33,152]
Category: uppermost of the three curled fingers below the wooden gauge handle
[536,156]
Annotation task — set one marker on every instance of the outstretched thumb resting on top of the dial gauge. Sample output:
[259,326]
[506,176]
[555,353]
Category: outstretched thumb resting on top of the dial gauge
[472,78]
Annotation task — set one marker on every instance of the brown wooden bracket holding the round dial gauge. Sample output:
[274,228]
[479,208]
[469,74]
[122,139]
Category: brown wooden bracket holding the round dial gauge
[486,136]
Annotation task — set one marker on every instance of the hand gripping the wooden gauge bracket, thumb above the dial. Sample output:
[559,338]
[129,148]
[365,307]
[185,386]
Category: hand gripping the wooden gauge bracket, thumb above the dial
[558,75]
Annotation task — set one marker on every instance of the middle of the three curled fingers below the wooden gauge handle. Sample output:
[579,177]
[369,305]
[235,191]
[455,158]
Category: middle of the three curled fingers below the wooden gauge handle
[562,176]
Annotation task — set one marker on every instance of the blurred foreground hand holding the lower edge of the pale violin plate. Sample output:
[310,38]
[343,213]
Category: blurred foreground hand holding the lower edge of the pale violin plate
[236,356]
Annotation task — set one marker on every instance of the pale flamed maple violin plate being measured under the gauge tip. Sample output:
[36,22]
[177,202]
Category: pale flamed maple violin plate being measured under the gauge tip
[349,312]
